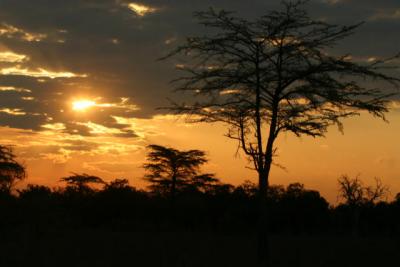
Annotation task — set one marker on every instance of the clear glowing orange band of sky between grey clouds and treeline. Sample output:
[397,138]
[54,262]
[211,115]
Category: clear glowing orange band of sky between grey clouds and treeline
[369,147]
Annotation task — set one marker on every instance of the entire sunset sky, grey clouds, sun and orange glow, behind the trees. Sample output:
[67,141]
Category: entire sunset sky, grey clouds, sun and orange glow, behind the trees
[80,88]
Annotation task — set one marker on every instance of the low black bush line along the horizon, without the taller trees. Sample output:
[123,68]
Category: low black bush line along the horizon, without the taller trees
[222,207]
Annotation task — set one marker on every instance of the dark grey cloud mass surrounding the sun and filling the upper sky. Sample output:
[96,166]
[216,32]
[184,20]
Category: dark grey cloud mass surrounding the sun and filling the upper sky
[118,49]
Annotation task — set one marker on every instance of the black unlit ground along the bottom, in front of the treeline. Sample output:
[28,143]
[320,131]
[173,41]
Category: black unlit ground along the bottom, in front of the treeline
[106,248]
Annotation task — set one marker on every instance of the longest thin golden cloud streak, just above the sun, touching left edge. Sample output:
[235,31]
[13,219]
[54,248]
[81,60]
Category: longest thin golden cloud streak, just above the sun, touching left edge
[39,73]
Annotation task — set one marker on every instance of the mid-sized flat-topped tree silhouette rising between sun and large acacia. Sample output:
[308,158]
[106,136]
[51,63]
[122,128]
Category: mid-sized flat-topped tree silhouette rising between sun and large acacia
[170,170]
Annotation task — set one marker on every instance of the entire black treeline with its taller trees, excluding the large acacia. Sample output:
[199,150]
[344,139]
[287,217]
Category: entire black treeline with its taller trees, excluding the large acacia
[180,197]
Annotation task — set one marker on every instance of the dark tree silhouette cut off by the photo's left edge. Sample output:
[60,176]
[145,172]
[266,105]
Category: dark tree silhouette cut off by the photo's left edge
[10,170]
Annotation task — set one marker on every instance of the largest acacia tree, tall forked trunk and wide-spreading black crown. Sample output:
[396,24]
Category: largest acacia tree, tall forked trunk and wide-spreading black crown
[272,75]
